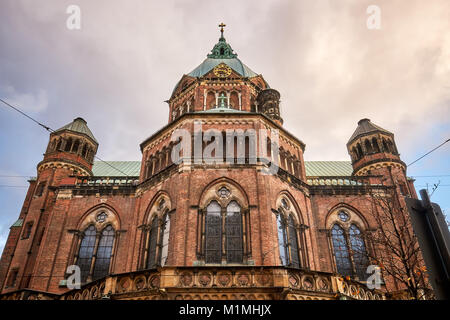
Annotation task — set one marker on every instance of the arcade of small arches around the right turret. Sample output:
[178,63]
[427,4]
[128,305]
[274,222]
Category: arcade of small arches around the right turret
[373,145]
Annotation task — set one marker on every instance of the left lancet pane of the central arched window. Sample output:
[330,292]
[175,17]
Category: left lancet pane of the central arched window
[213,233]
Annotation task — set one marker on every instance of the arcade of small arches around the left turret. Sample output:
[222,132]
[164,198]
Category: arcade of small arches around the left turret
[72,145]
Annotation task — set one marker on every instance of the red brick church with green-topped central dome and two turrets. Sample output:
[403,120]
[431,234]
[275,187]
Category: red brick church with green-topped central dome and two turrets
[204,229]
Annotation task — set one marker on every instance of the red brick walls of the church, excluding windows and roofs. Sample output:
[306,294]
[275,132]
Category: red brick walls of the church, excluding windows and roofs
[67,204]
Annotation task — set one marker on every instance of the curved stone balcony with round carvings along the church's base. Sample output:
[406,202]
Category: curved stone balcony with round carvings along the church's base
[215,283]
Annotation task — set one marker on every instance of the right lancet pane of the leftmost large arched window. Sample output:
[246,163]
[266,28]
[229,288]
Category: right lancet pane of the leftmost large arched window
[105,245]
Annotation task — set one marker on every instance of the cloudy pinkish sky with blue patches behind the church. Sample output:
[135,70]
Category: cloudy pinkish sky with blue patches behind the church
[331,70]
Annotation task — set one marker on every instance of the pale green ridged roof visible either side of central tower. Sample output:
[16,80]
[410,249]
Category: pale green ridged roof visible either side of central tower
[313,168]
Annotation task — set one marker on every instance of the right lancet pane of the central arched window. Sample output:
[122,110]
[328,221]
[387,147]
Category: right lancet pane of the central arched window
[233,233]
